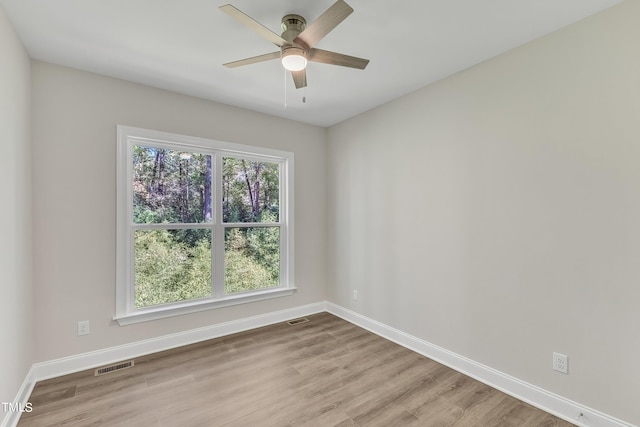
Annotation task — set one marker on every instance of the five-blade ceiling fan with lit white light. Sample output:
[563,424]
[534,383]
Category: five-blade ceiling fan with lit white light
[298,40]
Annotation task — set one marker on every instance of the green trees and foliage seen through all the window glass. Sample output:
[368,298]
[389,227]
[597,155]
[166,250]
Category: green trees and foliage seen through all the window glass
[174,187]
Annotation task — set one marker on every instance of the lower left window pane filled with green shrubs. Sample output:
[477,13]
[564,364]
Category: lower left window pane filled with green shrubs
[172,265]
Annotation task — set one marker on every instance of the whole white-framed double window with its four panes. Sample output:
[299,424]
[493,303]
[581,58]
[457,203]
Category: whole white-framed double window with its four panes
[201,224]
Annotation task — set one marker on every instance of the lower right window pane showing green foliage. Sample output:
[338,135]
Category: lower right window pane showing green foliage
[251,258]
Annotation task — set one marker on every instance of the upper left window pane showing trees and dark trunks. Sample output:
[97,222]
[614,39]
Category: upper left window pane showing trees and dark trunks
[170,186]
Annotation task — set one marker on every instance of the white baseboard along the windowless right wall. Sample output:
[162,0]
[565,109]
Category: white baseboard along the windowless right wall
[552,403]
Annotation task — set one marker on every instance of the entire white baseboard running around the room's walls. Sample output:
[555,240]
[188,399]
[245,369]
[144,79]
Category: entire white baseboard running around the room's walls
[547,401]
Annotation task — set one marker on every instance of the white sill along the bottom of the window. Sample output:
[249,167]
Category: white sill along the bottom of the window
[155,313]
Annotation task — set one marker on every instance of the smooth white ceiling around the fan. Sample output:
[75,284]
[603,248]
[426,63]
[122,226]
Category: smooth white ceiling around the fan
[180,45]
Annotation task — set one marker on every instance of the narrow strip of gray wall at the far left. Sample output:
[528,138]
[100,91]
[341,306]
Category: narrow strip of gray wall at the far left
[16,309]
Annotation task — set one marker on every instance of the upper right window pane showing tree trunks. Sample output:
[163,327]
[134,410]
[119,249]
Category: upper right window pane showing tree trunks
[250,191]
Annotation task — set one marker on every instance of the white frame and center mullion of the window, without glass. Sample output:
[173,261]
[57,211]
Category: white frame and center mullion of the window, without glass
[127,137]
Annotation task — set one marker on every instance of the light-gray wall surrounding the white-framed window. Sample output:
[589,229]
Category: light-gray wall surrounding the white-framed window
[74,174]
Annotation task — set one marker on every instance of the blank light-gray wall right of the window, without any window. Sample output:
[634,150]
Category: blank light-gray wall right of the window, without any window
[497,213]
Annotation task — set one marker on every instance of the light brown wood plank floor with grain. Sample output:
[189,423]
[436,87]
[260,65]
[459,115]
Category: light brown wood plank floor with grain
[325,372]
